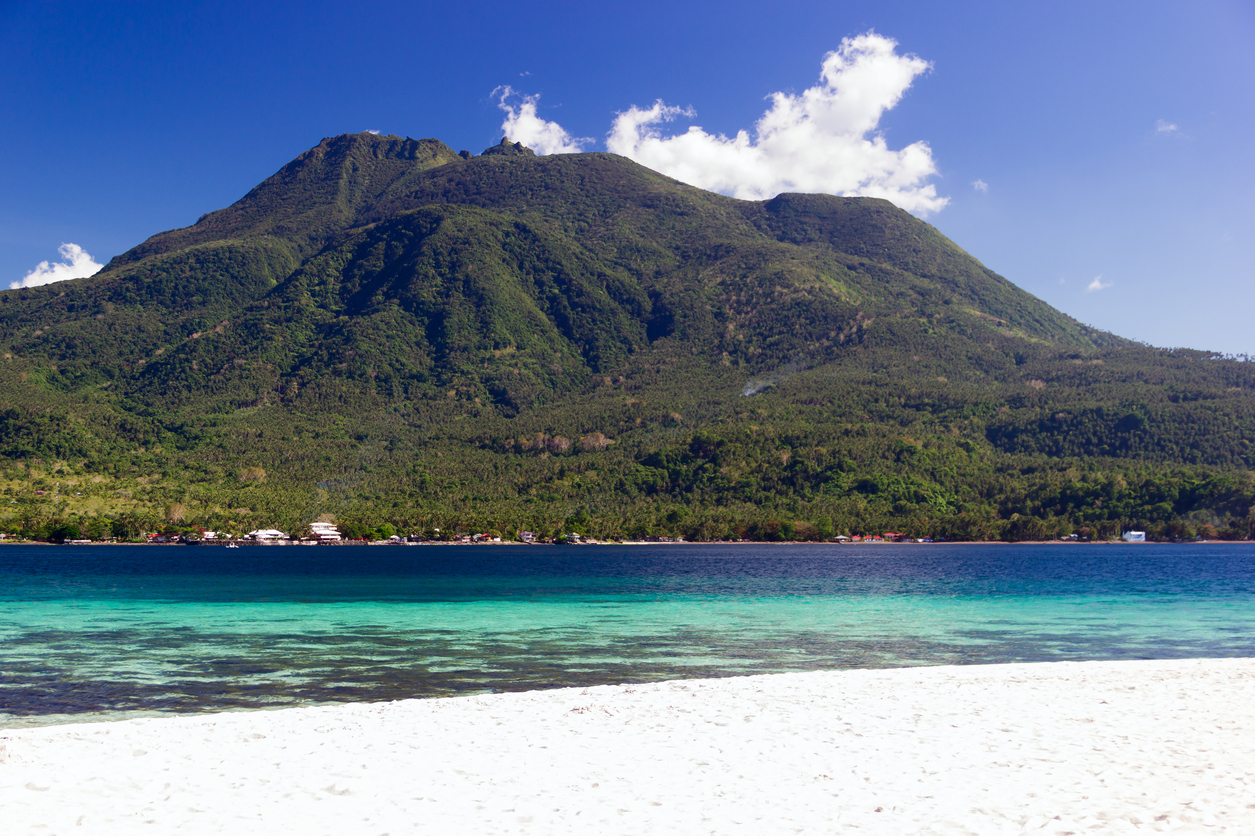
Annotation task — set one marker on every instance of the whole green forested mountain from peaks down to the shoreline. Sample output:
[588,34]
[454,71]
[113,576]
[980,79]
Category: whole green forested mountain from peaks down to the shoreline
[393,335]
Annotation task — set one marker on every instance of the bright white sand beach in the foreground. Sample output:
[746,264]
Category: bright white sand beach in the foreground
[1035,749]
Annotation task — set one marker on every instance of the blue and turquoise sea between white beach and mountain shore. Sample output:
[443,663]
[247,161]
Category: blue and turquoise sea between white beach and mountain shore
[109,632]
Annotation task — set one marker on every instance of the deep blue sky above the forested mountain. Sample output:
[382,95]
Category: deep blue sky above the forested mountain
[1099,155]
